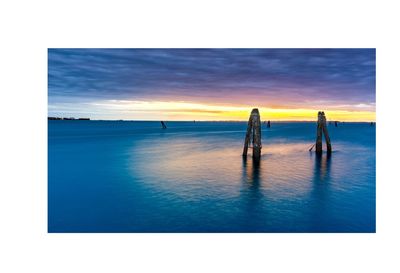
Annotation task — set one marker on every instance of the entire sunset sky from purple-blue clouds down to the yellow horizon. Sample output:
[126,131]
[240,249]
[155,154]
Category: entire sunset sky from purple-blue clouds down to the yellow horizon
[212,84]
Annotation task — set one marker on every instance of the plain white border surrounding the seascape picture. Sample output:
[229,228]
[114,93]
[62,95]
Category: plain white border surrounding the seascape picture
[28,28]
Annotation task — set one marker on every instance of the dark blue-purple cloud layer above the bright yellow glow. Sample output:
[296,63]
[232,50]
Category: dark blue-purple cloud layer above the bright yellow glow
[222,75]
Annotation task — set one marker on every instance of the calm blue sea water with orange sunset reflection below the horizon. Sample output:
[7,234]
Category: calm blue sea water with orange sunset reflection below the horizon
[133,176]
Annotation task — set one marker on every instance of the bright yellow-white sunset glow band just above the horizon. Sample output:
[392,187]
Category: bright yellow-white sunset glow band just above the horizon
[180,110]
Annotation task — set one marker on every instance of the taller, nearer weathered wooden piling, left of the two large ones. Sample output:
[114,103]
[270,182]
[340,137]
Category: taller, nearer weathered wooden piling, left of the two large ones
[253,135]
